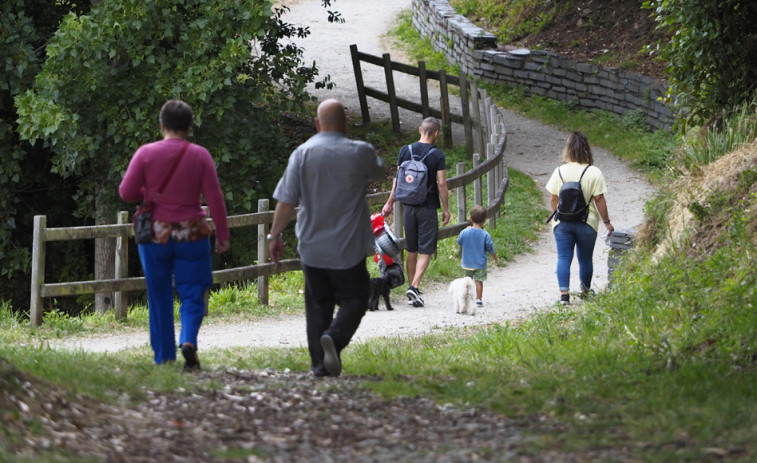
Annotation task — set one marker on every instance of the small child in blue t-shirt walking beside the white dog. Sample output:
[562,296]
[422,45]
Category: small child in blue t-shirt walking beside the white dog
[476,243]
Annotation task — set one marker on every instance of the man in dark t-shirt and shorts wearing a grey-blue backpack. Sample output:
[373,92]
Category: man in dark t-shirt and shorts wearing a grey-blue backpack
[421,187]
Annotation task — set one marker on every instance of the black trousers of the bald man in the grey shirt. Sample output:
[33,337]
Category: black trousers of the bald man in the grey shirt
[325,288]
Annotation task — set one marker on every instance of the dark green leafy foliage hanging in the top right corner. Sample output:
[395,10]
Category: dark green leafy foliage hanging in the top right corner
[711,56]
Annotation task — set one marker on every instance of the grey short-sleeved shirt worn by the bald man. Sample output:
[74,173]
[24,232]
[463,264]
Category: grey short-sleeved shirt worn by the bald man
[327,177]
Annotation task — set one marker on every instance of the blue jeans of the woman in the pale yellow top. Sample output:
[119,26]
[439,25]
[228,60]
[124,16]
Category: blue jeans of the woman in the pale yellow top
[582,238]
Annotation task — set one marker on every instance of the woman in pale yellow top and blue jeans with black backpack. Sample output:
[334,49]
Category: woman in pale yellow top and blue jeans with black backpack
[579,236]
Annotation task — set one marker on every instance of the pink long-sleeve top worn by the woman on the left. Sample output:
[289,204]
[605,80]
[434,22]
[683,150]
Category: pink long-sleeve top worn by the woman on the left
[181,198]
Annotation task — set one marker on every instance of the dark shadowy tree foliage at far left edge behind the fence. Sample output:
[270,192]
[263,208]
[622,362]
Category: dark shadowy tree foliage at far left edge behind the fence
[27,186]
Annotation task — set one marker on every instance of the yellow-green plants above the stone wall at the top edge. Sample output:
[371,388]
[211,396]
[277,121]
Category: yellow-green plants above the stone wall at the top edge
[511,20]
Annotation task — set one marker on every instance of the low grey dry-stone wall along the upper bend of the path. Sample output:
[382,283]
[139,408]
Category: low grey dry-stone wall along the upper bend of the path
[587,85]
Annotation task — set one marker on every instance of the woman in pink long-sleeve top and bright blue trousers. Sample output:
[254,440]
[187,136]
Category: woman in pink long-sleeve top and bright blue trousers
[179,253]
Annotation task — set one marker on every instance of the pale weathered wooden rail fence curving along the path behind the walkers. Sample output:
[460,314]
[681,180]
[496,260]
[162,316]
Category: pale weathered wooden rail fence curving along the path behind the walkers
[491,164]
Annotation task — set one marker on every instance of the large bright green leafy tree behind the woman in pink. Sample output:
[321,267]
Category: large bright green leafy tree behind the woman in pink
[108,72]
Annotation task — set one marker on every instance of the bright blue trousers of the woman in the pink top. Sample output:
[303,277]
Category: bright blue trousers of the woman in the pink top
[187,265]
